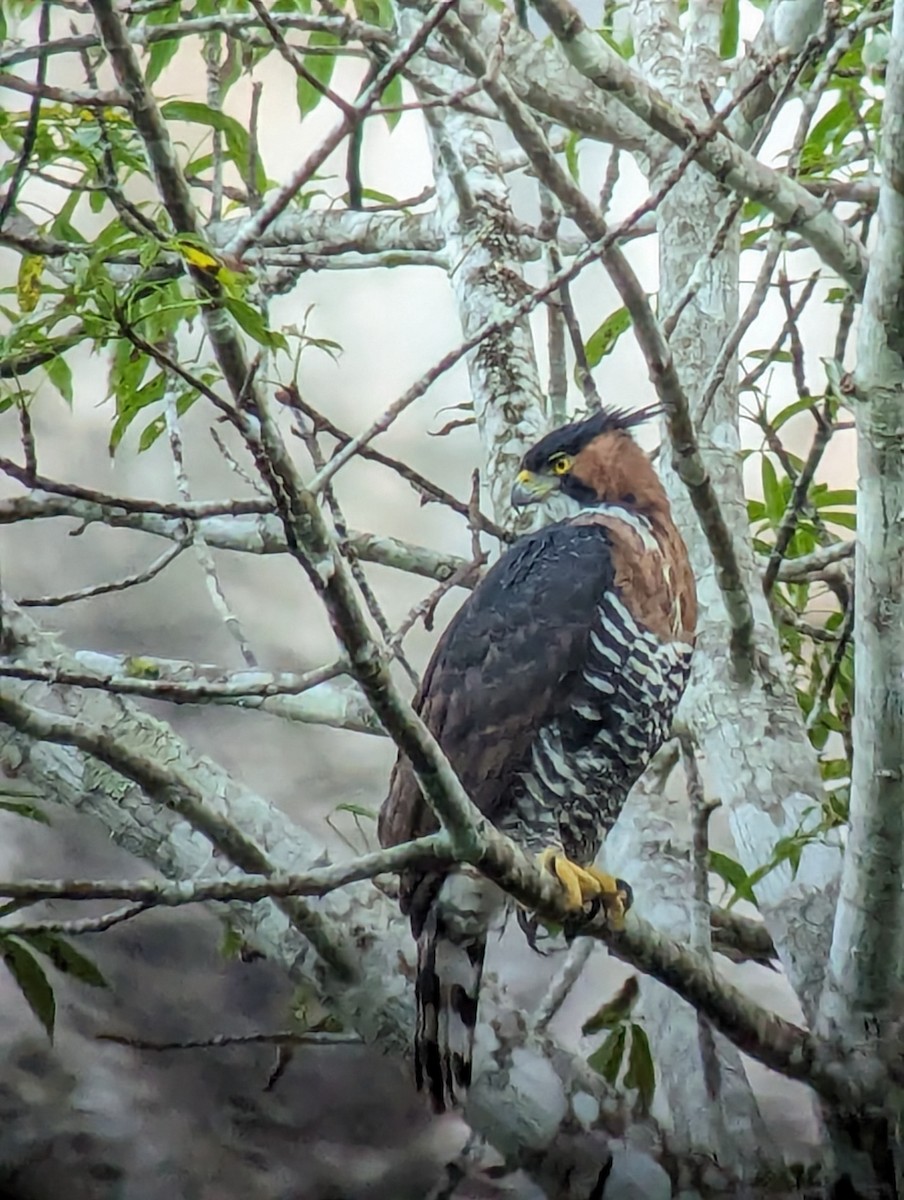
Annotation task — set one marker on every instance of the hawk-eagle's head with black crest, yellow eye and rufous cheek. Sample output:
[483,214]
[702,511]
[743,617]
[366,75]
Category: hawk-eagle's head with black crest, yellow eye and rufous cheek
[592,463]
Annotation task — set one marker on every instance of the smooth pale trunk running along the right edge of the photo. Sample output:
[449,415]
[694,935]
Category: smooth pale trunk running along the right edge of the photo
[867,941]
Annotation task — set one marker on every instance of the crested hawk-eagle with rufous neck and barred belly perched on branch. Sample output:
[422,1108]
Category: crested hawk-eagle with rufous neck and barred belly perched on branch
[550,692]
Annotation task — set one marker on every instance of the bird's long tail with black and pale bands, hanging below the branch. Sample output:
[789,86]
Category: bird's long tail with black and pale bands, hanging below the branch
[452,947]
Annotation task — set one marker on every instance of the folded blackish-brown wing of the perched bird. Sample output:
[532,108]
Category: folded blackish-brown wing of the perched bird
[505,668]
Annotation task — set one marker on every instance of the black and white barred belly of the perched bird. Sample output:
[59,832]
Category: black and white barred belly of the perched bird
[584,765]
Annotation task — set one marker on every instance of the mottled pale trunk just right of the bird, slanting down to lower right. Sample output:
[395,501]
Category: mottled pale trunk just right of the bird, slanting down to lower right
[758,758]
